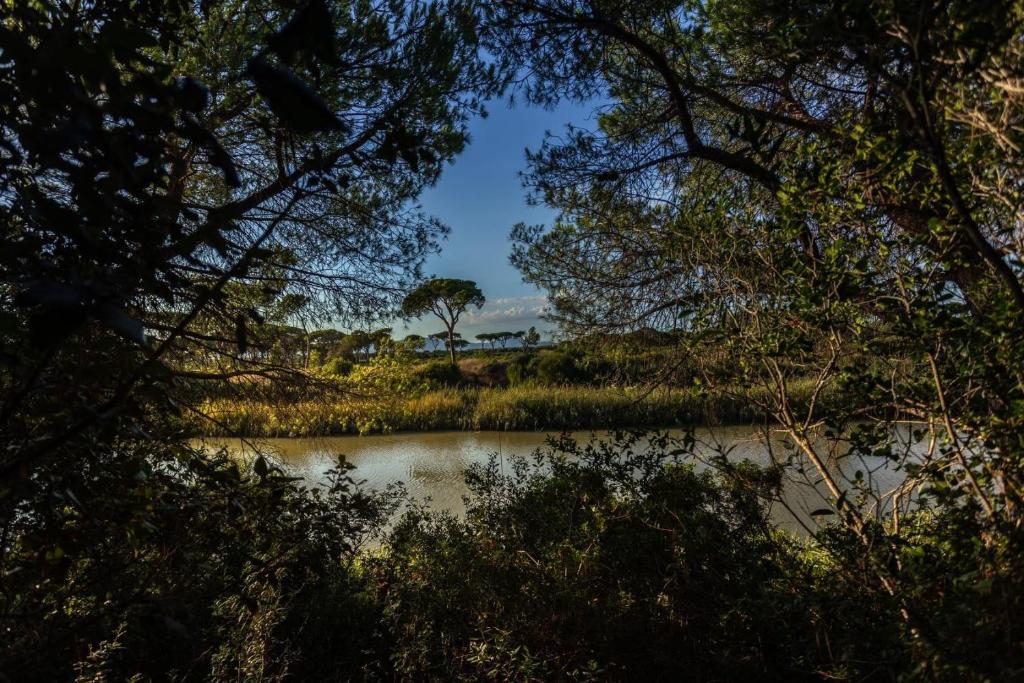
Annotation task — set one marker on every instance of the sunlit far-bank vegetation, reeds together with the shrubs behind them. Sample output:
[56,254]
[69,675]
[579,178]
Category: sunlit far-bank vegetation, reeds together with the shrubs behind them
[564,387]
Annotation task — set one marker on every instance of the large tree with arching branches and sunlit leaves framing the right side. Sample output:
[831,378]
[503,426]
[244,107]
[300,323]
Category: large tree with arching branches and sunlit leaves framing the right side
[823,191]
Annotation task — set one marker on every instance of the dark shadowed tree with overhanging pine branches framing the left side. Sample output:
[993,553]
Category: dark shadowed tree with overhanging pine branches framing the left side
[172,174]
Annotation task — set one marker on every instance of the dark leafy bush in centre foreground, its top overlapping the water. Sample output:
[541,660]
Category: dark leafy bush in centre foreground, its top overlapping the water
[600,563]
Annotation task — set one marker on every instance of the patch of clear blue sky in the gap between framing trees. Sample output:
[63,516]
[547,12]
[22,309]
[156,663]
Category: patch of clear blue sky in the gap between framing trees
[481,198]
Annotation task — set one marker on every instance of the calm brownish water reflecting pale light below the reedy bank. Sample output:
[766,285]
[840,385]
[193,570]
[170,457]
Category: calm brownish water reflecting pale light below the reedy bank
[432,465]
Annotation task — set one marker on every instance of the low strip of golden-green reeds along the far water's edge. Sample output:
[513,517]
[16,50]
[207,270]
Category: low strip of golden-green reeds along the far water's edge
[528,408]
